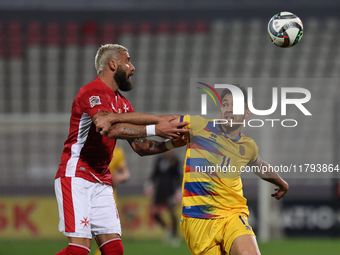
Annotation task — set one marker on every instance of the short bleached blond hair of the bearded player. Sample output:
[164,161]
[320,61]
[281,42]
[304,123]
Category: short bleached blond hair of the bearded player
[105,54]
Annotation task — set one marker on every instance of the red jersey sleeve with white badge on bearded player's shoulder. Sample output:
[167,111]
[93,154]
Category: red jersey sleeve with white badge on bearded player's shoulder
[95,100]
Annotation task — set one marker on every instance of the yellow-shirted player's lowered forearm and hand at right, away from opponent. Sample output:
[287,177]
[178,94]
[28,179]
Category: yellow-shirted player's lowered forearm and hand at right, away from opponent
[267,173]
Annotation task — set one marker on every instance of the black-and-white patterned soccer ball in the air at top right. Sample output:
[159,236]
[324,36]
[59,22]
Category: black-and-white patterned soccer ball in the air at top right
[285,29]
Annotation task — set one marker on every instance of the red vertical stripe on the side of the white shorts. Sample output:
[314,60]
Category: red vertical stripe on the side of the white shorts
[69,218]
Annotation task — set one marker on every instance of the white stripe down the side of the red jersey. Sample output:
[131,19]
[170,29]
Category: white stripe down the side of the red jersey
[83,131]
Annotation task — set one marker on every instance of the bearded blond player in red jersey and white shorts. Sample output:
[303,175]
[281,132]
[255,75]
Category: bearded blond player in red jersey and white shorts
[83,181]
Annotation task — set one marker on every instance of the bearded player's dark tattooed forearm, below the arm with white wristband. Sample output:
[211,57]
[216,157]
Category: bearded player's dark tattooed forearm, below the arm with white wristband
[145,147]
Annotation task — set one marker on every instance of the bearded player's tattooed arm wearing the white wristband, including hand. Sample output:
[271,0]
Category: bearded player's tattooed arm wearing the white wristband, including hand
[168,127]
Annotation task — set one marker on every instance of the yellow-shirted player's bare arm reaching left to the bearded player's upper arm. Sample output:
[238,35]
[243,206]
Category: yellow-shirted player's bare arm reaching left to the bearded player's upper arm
[103,122]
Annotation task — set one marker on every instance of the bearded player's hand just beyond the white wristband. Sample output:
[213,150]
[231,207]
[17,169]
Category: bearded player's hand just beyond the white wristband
[168,129]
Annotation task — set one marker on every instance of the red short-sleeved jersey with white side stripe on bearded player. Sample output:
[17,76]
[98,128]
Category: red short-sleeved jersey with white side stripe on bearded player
[87,154]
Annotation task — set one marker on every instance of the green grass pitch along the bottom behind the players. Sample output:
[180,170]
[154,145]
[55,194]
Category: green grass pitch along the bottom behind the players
[288,246]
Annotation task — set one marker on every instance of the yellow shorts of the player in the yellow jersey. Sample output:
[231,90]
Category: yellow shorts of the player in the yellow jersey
[214,236]
